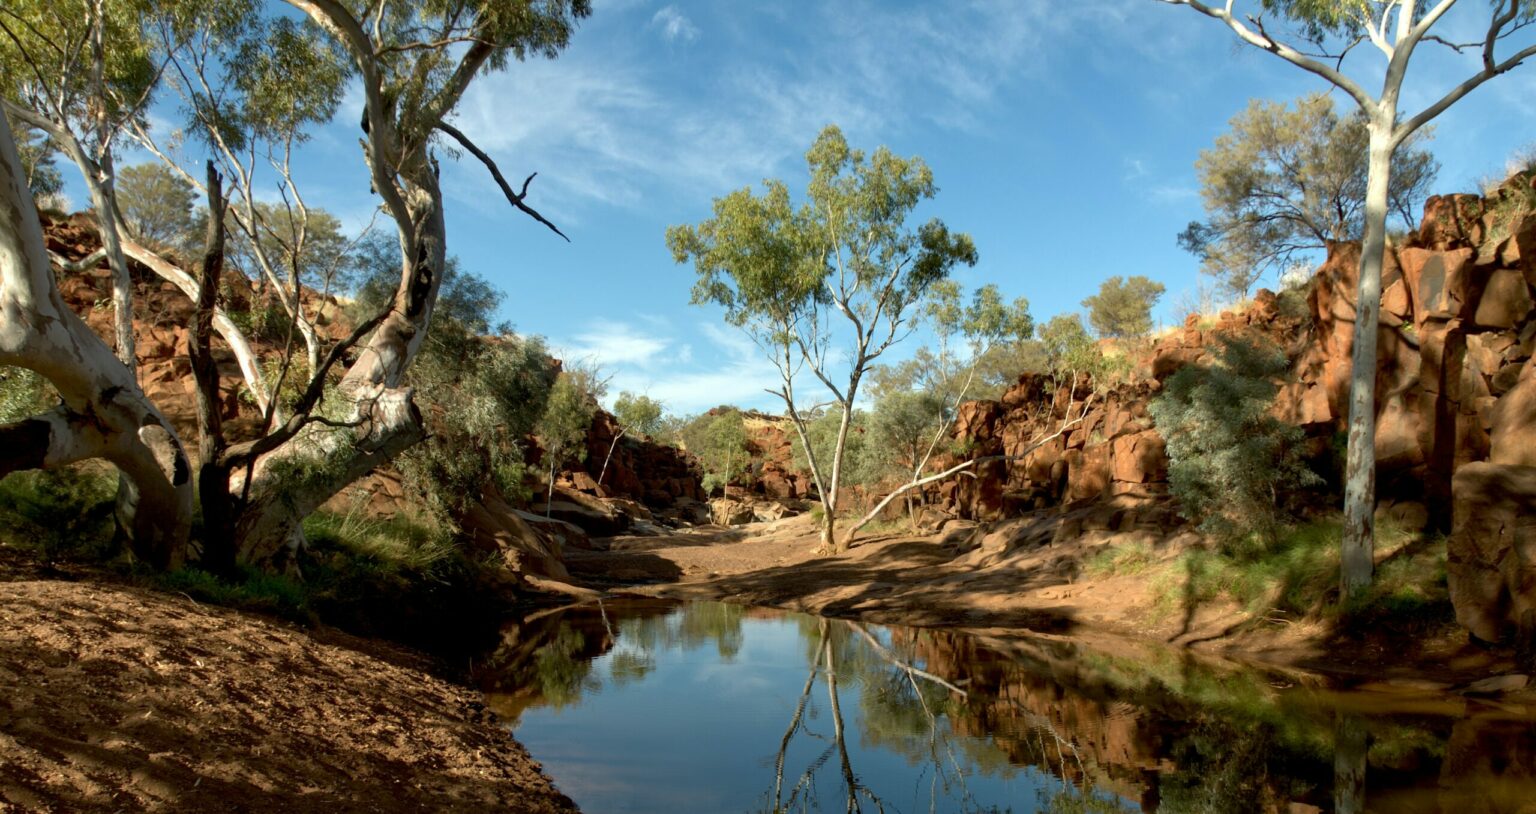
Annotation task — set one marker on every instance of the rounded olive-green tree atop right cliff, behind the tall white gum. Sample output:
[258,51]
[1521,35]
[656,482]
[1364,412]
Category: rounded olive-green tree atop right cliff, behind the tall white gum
[1293,179]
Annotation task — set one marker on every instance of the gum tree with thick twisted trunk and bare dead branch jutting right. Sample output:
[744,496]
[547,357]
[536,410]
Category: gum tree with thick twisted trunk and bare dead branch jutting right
[414,64]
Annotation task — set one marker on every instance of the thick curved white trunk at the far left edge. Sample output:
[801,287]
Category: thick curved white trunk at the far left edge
[104,414]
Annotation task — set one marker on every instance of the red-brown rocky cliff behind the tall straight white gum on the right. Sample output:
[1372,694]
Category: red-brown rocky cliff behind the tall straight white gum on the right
[1455,403]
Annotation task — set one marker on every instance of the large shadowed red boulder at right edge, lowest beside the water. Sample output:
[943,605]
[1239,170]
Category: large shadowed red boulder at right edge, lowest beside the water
[1492,551]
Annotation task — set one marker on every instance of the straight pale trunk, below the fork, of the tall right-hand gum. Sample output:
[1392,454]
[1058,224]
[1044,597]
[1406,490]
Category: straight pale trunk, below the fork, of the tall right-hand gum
[1360,471]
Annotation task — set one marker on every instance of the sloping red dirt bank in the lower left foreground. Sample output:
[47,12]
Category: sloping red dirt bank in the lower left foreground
[124,700]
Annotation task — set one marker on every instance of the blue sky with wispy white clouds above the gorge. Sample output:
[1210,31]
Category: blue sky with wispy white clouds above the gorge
[1062,136]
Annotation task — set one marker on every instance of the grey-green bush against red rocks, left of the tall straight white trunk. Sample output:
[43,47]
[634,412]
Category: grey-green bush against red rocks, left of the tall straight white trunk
[1233,466]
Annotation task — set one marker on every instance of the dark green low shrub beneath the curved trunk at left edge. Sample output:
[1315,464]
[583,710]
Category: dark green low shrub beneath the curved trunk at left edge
[62,514]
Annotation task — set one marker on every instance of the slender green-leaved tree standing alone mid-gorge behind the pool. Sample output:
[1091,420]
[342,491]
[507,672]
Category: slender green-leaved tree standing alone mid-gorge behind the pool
[786,274]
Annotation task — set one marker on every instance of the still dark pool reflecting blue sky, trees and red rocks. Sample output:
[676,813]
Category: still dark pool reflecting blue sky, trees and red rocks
[649,707]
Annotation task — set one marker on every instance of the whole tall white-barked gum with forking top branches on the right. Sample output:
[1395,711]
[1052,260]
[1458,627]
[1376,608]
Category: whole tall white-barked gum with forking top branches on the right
[1331,31]
